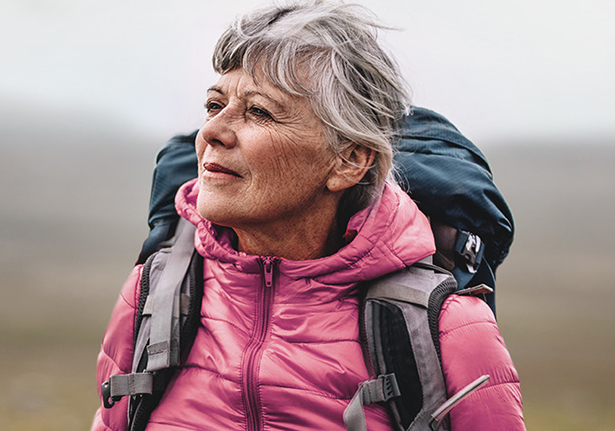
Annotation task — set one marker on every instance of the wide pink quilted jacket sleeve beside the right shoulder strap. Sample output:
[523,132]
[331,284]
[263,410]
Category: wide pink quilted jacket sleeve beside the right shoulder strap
[471,345]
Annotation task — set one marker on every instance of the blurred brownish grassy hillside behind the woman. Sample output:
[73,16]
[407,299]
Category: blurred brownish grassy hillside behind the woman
[72,219]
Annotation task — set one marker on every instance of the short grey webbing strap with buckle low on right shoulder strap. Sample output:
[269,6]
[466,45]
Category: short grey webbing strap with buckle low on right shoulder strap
[372,391]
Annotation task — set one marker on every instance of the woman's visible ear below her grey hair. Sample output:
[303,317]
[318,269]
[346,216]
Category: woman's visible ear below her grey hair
[352,165]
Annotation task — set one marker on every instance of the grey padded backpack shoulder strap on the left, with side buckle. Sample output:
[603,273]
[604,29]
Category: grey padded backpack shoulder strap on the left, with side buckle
[166,323]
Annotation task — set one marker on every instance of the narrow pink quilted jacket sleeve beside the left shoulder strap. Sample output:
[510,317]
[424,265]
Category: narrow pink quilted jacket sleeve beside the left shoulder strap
[116,353]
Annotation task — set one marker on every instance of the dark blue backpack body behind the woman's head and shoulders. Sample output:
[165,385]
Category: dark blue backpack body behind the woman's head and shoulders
[442,171]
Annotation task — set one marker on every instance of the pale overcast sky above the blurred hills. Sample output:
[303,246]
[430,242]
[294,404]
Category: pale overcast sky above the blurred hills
[500,70]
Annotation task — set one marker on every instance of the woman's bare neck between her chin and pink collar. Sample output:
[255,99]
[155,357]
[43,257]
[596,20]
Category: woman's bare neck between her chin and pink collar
[312,237]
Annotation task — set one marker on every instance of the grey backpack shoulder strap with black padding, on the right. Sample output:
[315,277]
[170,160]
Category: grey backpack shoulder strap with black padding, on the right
[399,325]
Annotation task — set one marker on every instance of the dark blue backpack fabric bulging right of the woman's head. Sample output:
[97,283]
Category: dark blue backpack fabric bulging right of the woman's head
[450,180]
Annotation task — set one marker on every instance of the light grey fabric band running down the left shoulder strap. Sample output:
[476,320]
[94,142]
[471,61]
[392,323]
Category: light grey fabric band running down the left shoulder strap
[163,350]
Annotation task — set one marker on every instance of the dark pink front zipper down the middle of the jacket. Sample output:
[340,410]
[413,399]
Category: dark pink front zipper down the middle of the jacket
[254,349]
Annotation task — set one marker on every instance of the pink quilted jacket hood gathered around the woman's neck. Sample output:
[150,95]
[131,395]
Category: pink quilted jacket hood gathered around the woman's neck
[389,235]
